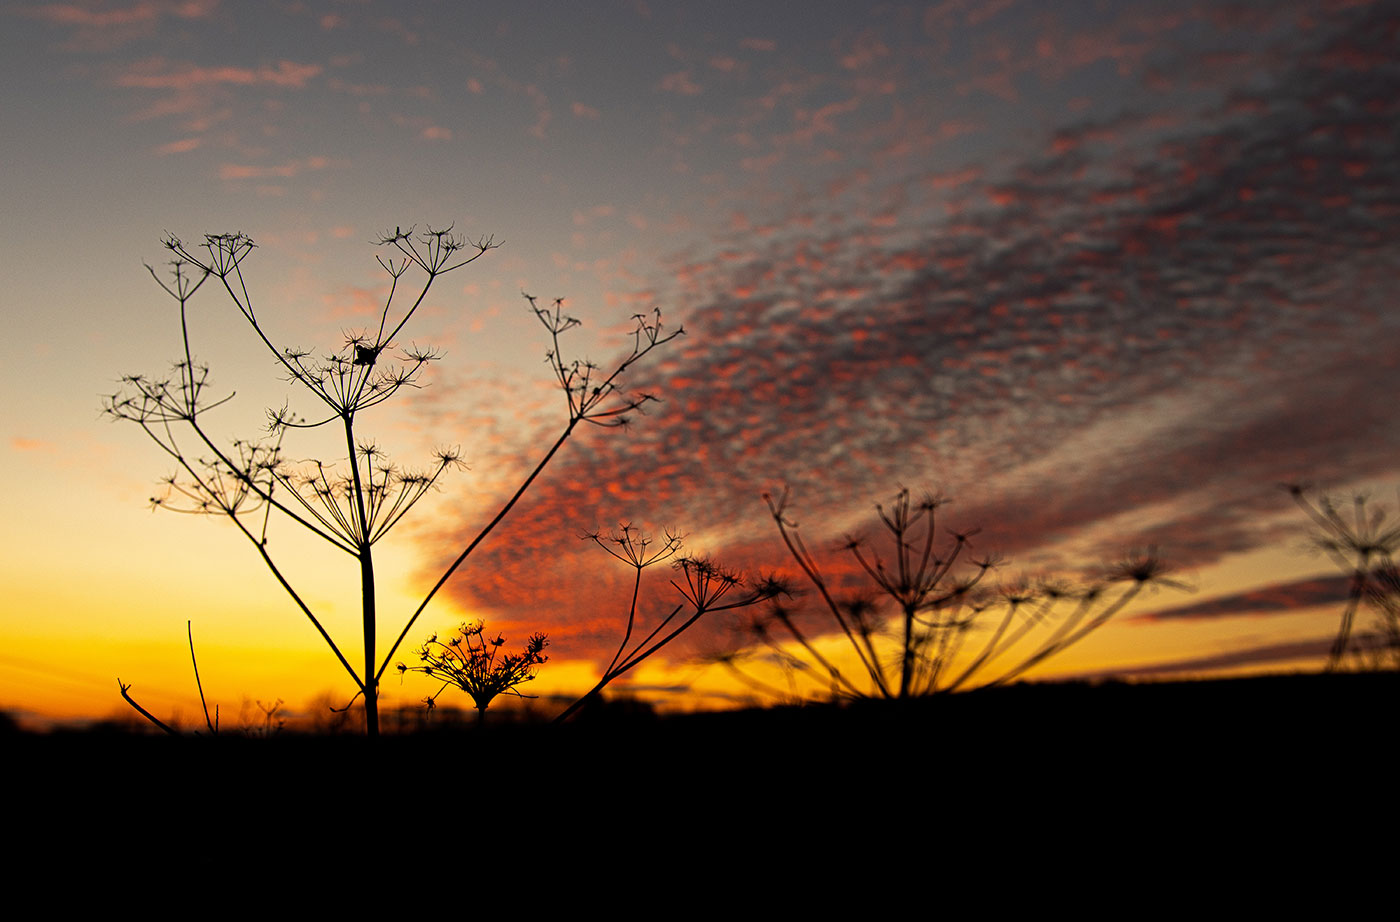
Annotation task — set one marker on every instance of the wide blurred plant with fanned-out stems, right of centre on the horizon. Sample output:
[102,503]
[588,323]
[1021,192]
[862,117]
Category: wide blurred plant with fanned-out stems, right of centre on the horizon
[943,633]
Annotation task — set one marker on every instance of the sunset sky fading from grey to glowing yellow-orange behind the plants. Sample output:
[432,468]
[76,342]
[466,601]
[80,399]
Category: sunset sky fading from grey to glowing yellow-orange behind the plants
[1105,274]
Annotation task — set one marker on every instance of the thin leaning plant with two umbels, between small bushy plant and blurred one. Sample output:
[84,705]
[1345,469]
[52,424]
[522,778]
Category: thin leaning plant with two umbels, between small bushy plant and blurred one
[705,587]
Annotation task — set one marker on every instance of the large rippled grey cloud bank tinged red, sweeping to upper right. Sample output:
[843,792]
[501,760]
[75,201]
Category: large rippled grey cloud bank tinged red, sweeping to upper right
[1157,325]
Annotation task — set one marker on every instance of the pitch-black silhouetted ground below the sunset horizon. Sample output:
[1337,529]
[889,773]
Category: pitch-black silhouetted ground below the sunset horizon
[1247,781]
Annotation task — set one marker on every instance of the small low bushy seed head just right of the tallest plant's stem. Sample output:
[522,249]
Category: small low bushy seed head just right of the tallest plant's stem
[472,662]
